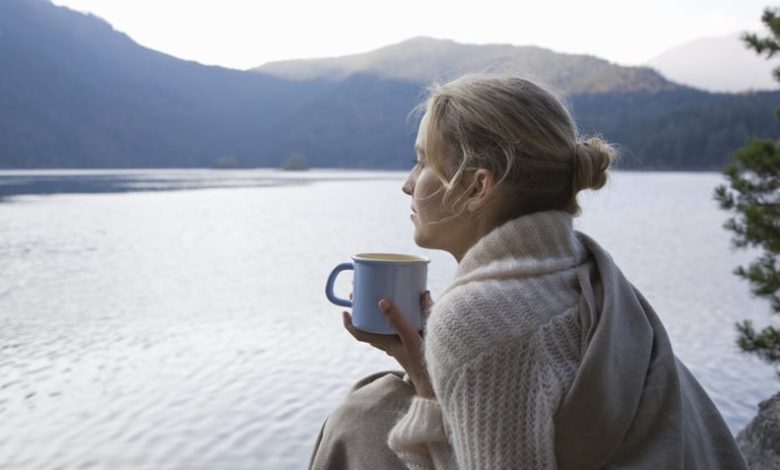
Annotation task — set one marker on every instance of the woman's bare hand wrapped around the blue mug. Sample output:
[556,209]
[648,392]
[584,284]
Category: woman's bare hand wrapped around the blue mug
[406,347]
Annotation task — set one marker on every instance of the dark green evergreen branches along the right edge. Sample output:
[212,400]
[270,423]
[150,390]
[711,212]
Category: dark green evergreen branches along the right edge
[753,196]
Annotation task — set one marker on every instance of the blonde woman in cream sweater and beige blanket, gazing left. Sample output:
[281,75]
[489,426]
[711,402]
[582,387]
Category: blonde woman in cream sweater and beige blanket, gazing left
[540,354]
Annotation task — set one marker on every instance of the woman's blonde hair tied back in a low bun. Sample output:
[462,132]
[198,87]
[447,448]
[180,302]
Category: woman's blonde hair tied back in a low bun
[521,133]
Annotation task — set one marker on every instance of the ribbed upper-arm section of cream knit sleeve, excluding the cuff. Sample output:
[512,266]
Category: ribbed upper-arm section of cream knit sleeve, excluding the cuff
[500,409]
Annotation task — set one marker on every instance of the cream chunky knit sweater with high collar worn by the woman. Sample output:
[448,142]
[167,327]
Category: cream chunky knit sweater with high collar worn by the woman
[502,348]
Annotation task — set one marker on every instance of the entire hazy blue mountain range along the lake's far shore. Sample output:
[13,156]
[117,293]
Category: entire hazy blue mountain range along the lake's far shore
[76,93]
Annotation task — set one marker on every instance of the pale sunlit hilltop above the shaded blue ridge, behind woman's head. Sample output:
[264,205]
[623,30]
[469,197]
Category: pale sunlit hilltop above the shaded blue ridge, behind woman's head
[423,59]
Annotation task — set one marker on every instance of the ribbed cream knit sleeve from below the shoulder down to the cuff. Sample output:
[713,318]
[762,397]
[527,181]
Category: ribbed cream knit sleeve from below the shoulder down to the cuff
[499,411]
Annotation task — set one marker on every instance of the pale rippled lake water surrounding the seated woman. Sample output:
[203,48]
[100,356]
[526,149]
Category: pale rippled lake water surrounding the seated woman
[176,319]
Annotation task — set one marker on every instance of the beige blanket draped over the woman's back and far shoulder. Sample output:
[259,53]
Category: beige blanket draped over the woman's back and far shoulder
[660,417]
